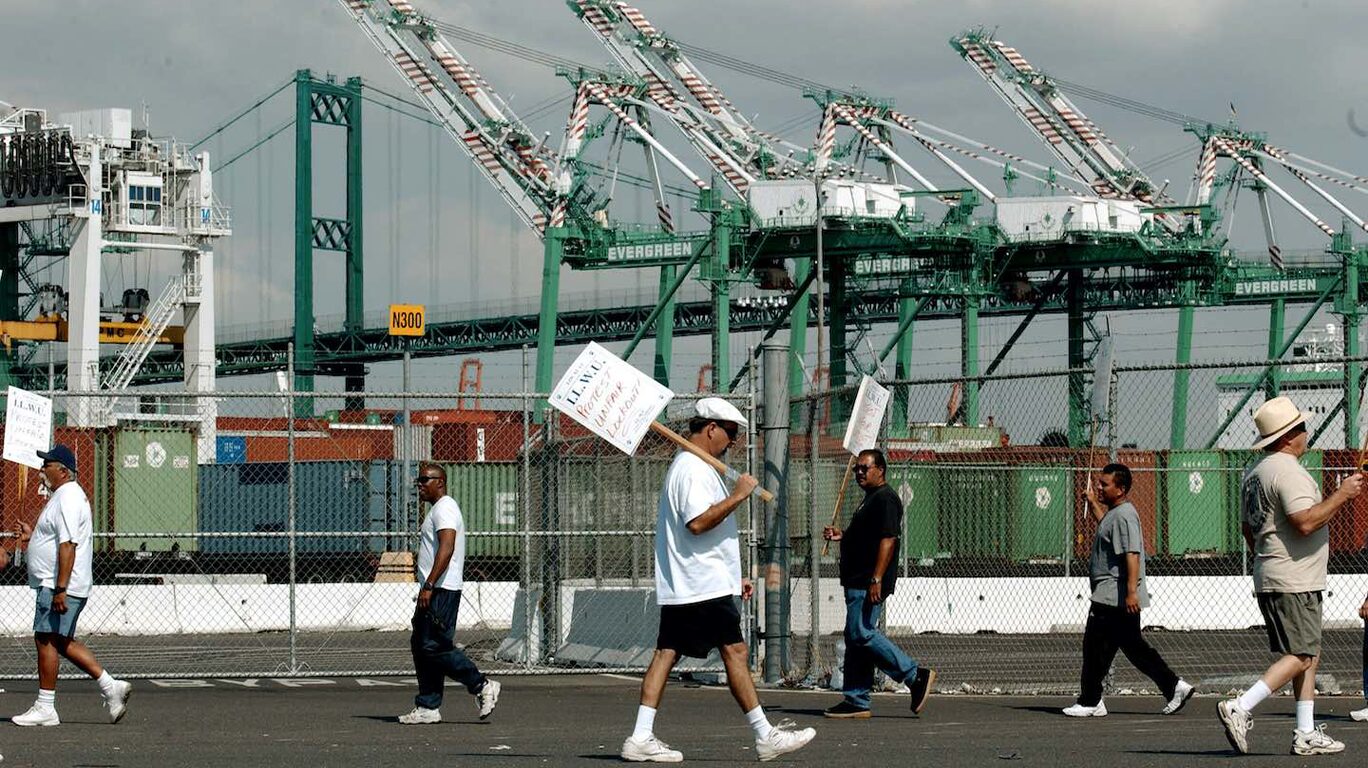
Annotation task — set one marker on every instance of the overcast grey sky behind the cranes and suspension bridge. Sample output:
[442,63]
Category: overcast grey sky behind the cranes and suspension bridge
[1293,71]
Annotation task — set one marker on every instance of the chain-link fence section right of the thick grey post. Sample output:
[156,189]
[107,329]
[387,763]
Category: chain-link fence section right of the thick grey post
[994,558]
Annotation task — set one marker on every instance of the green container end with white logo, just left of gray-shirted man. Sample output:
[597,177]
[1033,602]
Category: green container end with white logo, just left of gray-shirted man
[1043,504]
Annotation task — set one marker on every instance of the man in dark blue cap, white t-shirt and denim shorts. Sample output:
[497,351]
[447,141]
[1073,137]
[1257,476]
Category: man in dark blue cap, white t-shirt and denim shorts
[60,572]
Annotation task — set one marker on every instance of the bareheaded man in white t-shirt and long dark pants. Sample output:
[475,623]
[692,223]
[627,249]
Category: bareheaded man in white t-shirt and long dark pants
[440,565]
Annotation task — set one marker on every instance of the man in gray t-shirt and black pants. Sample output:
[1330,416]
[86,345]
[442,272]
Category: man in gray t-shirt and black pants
[1117,573]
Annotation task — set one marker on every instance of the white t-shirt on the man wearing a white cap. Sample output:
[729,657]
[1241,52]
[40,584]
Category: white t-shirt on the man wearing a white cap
[694,567]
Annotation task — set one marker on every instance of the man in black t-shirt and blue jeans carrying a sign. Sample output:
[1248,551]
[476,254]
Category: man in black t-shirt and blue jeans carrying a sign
[869,574]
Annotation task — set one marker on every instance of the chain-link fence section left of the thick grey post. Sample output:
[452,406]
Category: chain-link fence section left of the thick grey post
[276,546]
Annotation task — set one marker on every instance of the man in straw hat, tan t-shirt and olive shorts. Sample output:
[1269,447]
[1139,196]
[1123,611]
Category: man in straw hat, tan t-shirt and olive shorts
[1285,524]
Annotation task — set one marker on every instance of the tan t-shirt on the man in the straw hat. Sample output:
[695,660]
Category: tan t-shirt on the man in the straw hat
[1274,488]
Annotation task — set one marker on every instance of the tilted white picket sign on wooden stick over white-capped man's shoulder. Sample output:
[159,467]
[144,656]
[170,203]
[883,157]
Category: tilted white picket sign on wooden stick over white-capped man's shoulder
[614,400]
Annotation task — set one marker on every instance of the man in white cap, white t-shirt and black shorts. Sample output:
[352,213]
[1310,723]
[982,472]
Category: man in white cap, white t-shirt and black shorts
[698,577]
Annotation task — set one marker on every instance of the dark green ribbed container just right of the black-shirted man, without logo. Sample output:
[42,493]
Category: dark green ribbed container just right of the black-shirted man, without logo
[973,503]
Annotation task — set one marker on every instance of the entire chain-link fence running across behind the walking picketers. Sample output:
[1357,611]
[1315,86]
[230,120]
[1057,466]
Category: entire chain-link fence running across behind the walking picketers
[280,547]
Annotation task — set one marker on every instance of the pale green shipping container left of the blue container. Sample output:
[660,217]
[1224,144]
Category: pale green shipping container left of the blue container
[154,485]
